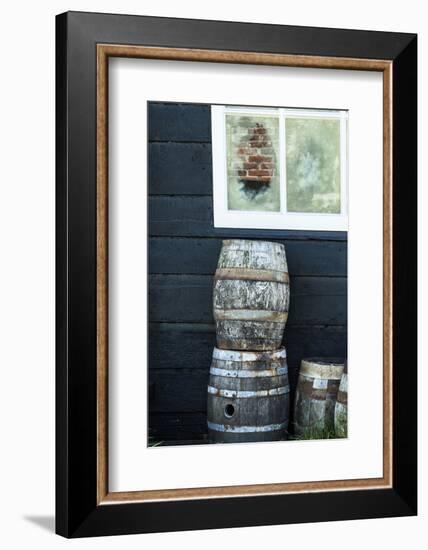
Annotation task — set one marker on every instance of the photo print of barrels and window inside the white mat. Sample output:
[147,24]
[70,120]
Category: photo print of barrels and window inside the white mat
[248,329]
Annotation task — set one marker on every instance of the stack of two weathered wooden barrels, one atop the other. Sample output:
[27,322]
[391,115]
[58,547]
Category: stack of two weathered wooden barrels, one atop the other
[248,389]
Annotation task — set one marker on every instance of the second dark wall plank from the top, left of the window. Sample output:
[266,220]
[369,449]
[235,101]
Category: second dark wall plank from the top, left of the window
[180,169]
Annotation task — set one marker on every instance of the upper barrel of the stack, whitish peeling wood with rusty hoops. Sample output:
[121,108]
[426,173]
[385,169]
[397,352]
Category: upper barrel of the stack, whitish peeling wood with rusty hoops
[251,295]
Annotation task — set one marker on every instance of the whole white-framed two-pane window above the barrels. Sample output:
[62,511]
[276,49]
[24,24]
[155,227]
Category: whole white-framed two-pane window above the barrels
[279,168]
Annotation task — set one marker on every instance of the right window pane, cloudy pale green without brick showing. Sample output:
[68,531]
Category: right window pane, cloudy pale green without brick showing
[313,165]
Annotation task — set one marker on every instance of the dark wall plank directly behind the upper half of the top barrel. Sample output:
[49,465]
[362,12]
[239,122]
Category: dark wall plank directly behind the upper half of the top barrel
[200,256]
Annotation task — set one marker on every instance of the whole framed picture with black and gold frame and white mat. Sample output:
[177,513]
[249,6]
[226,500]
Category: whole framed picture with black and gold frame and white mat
[236,274]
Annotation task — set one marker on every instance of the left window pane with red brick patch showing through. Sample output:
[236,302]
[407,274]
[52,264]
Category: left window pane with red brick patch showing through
[252,143]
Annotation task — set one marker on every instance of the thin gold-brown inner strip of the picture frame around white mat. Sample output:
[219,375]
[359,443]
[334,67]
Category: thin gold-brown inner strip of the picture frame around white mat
[104,51]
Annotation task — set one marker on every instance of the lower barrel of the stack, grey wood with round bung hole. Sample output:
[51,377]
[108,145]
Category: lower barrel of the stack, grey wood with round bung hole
[248,396]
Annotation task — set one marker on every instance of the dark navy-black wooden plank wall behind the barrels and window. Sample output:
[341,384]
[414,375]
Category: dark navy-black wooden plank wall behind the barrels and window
[183,252]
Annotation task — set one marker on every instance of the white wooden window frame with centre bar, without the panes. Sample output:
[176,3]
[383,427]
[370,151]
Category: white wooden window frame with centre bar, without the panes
[309,221]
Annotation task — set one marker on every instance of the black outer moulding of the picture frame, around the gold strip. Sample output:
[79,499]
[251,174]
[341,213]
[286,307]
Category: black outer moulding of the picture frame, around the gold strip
[77,513]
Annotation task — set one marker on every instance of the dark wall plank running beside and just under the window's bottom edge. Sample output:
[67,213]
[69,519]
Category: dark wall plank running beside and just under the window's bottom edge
[192,216]
